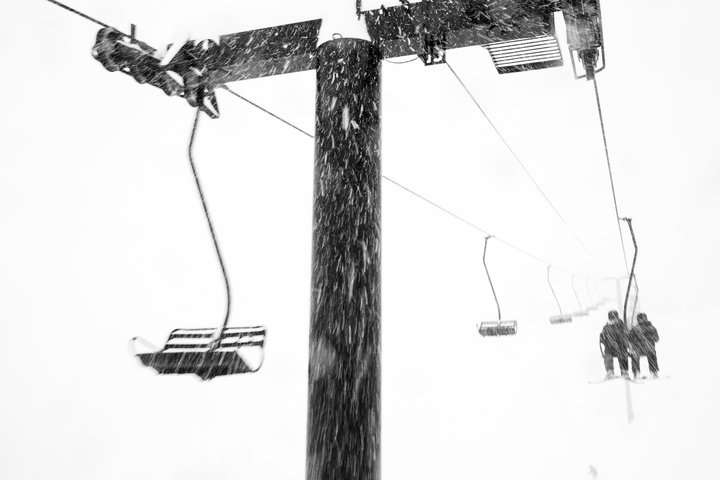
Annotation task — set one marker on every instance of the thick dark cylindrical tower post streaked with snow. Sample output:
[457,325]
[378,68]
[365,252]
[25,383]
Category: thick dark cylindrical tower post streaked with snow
[343,429]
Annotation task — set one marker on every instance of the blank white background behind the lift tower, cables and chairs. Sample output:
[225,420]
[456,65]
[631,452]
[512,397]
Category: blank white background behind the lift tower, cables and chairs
[102,238]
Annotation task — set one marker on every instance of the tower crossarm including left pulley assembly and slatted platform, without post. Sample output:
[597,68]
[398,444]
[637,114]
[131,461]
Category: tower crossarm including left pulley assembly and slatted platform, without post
[519,36]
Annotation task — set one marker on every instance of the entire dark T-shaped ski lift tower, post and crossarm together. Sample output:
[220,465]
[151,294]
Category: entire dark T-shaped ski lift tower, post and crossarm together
[343,428]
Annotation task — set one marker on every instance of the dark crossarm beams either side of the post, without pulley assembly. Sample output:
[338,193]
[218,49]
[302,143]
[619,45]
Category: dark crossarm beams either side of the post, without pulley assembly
[409,29]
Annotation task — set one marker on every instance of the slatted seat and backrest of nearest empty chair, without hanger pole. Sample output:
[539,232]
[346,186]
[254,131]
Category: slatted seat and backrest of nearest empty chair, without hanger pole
[189,351]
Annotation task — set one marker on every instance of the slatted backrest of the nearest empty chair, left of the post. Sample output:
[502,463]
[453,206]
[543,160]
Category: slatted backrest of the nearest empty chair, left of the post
[199,339]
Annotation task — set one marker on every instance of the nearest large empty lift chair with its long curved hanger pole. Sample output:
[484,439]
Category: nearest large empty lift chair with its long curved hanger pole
[207,352]
